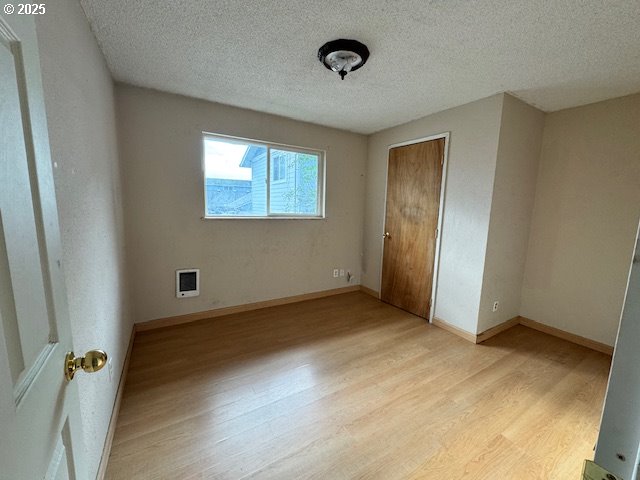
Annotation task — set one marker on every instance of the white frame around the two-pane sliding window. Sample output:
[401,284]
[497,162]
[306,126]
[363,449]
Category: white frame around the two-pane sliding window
[321,186]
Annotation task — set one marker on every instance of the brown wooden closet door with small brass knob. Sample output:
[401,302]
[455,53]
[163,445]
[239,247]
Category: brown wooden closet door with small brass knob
[411,222]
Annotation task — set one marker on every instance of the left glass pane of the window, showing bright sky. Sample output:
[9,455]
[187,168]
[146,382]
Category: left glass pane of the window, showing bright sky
[235,178]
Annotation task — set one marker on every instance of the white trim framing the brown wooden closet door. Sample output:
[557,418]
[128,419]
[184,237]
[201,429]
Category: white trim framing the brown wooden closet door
[443,183]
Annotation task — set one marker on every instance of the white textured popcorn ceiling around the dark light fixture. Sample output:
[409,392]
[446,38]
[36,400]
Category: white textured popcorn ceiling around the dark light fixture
[426,55]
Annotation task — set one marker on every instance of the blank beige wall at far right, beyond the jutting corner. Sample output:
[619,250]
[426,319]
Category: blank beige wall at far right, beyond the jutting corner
[585,218]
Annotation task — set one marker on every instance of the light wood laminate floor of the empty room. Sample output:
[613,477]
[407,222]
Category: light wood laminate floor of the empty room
[347,387]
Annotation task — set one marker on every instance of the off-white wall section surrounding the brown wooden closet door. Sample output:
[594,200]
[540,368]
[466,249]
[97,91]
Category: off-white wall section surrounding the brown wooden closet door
[472,160]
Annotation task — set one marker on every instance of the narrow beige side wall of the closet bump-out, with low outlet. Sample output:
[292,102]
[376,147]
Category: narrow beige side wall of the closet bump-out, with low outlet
[511,211]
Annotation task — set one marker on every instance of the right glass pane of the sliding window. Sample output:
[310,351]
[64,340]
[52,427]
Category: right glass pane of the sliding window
[294,182]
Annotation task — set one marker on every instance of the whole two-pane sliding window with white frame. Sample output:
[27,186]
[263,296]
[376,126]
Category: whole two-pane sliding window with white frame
[237,184]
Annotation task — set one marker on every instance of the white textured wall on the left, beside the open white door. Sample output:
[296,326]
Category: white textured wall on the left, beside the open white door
[80,111]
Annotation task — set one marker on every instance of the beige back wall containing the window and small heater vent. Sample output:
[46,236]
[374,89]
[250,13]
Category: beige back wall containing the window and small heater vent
[241,261]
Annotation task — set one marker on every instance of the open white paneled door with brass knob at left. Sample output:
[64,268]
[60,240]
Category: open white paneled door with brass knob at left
[40,434]
